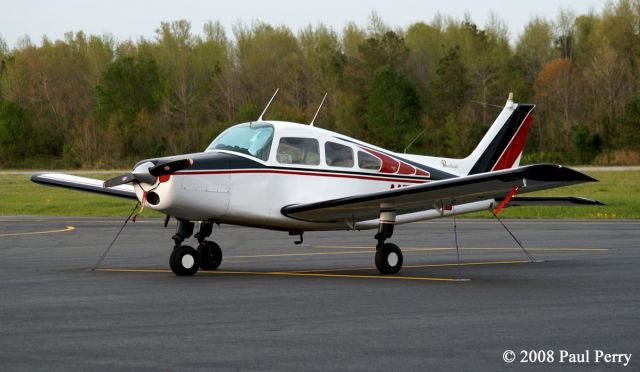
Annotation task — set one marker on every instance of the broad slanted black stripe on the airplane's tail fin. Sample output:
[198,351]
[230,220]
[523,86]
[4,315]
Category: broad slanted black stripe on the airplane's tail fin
[491,155]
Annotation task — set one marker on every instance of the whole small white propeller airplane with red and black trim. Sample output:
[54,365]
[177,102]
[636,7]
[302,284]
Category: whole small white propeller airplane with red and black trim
[294,177]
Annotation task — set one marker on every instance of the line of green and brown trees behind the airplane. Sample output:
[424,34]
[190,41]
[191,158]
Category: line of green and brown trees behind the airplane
[95,102]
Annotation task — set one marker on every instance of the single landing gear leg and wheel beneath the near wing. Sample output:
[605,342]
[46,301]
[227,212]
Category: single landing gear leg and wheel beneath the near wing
[388,255]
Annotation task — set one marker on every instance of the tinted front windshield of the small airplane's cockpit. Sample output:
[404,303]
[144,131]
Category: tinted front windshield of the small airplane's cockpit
[250,138]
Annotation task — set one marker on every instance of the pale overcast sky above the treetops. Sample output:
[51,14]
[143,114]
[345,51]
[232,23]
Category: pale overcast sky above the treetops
[131,19]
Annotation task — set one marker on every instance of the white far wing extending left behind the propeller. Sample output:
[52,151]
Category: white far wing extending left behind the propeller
[84,184]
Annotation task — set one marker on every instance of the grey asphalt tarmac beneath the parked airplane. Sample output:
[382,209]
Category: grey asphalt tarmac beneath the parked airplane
[322,305]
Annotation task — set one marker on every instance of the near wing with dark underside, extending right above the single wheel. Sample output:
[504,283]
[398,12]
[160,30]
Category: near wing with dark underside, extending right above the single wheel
[435,194]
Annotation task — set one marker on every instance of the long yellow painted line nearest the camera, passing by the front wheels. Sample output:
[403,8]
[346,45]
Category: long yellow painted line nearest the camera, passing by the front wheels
[295,273]
